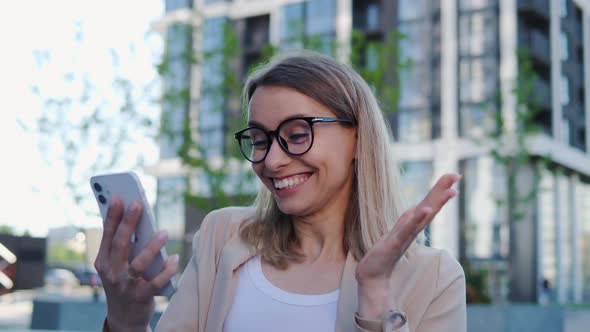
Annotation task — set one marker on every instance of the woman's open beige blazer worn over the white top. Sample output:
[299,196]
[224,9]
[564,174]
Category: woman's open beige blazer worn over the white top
[428,284]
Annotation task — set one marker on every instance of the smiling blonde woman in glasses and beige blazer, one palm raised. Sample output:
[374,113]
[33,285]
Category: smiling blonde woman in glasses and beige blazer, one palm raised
[325,247]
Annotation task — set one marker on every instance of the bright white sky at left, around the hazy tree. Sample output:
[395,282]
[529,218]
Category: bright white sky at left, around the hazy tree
[41,42]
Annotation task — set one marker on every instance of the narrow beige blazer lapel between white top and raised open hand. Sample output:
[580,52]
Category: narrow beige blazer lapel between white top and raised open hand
[348,302]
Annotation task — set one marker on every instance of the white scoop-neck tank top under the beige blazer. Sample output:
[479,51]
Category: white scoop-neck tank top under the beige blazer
[260,306]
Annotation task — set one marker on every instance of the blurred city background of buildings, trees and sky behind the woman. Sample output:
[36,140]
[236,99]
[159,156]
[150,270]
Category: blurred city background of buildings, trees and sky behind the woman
[497,90]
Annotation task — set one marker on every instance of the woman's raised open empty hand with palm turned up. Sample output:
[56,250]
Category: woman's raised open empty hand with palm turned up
[374,270]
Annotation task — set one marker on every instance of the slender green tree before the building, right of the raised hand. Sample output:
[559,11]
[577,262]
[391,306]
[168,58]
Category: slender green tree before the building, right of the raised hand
[508,147]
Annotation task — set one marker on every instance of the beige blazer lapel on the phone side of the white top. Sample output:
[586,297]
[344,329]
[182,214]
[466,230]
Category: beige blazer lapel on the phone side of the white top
[233,255]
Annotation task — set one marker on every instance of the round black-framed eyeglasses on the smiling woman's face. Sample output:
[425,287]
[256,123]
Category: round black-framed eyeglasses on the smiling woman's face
[295,136]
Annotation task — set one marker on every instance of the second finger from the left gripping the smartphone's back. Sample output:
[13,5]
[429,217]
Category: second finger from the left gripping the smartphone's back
[122,238]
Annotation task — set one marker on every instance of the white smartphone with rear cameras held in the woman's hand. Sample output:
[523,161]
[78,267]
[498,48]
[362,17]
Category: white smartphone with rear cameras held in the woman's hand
[128,188]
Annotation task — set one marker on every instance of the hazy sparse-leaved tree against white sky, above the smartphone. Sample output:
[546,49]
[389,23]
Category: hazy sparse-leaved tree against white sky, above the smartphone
[88,125]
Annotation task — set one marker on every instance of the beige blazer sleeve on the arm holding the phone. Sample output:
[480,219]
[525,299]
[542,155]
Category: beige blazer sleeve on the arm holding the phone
[182,311]
